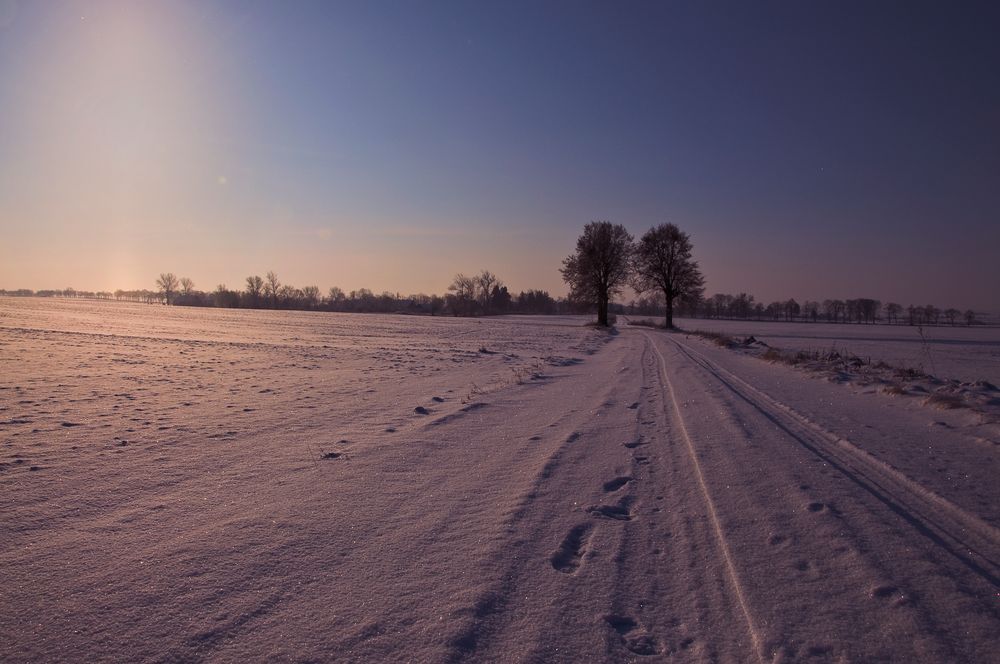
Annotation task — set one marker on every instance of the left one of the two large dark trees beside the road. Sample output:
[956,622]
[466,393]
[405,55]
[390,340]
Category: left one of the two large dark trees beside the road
[600,267]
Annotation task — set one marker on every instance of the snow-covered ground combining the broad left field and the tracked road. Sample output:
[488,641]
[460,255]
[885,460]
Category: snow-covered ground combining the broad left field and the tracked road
[186,485]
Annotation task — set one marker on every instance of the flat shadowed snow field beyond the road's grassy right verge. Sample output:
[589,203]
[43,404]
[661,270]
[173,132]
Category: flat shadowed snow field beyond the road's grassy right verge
[963,353]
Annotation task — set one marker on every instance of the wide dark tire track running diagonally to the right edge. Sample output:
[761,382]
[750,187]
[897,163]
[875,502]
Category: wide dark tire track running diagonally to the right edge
[876,477]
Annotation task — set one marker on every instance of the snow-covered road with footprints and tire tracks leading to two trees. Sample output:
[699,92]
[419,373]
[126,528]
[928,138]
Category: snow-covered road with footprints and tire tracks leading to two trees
[703,519]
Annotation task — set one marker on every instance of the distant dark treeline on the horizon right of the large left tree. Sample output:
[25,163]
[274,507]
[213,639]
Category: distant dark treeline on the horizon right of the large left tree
[861,310]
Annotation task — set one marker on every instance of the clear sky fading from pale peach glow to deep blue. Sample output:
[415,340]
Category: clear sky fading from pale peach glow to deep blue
[811,149]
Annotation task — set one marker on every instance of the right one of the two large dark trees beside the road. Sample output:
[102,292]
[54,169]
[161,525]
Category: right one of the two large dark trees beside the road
[663,262]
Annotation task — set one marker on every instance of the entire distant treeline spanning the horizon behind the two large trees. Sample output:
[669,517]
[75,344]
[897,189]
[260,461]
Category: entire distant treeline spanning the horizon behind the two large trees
[486,294]
